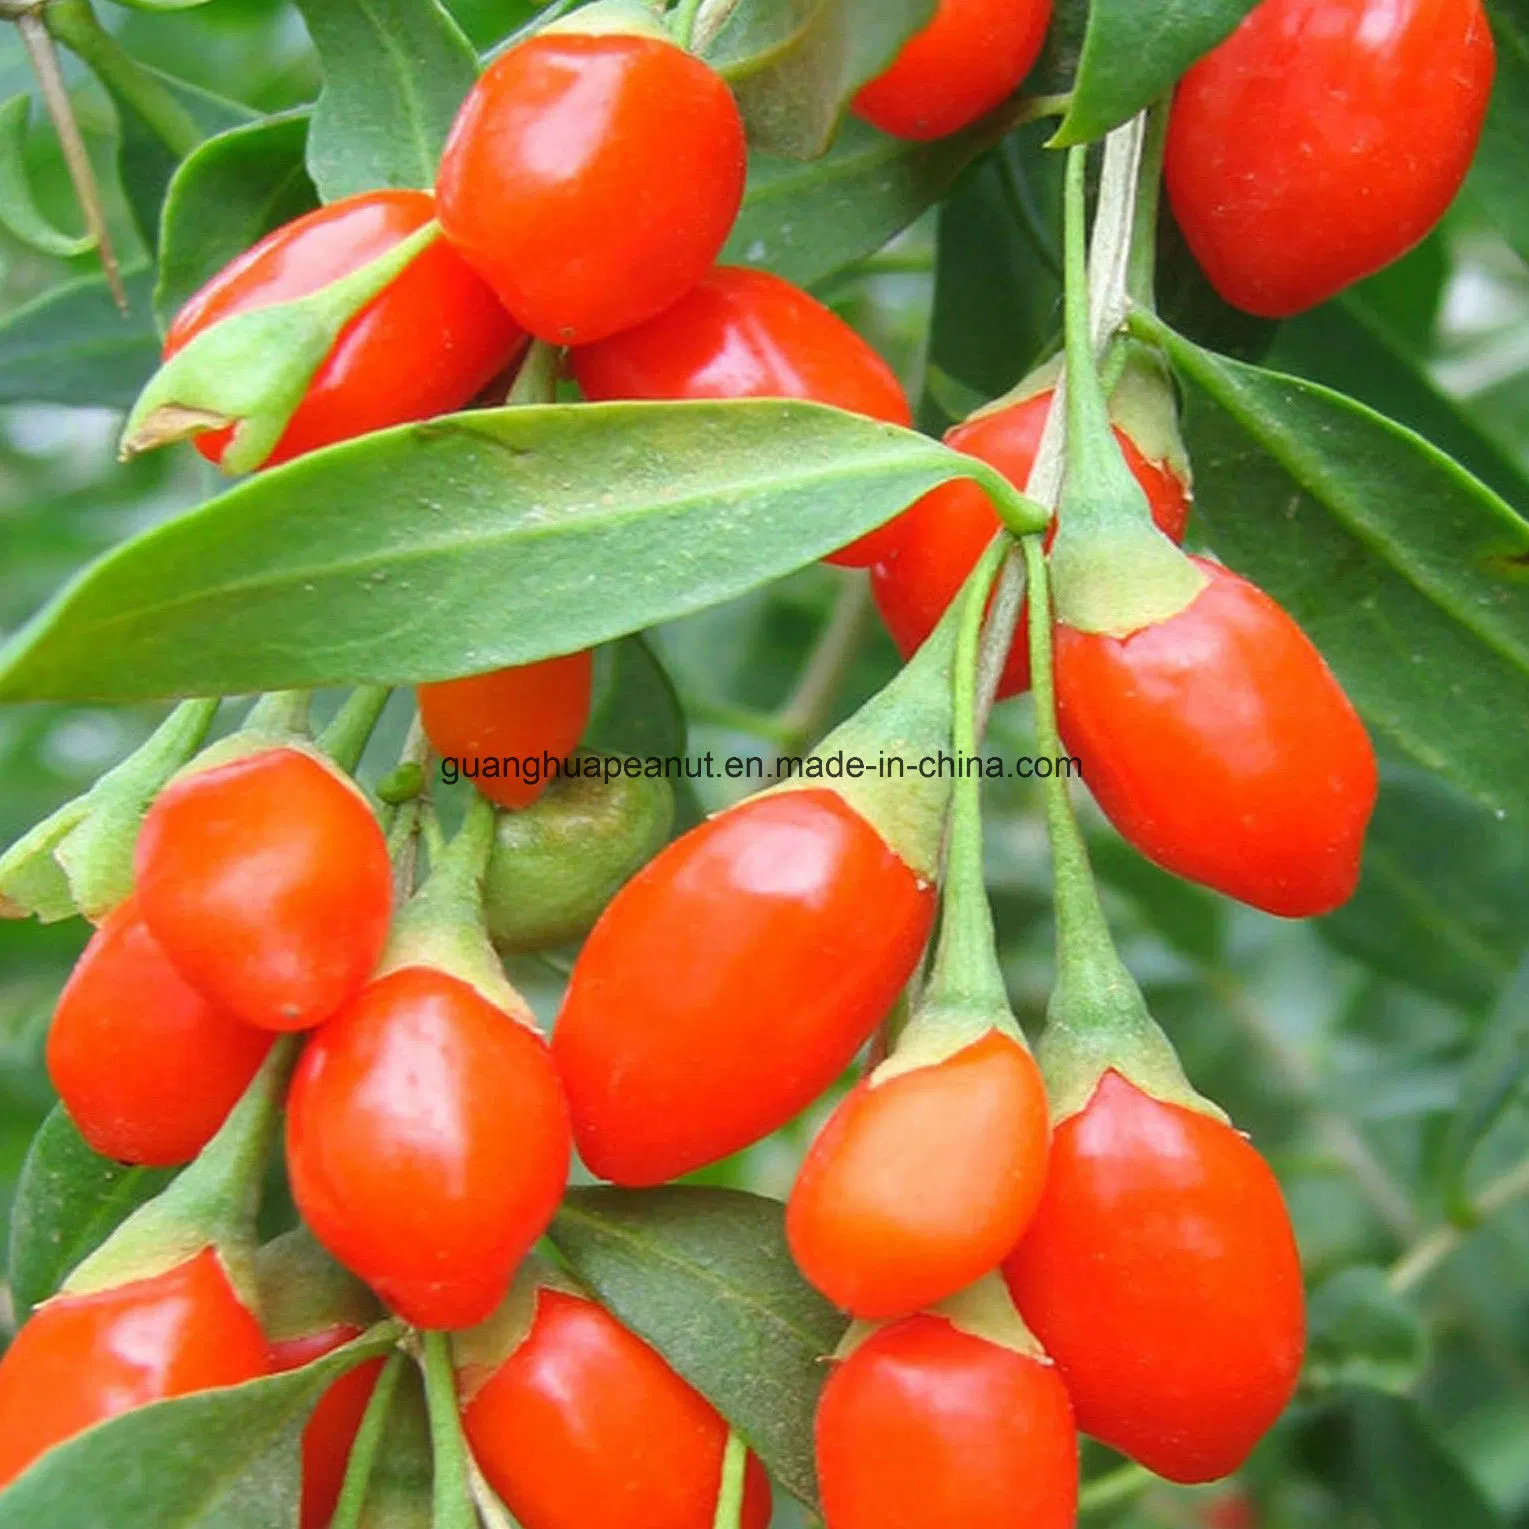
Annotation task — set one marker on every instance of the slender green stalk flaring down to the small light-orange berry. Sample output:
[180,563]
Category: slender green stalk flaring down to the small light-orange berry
[967,975]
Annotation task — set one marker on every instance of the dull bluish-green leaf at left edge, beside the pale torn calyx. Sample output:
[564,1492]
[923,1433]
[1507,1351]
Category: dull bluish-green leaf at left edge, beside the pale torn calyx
[73,346]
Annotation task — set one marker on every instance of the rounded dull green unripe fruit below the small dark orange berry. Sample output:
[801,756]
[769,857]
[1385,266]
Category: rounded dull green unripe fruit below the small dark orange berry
[556,865]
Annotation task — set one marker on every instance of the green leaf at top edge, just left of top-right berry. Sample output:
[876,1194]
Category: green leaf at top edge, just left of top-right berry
[1134,53]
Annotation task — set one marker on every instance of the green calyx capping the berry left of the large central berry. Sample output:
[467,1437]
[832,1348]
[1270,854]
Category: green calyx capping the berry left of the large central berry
[443,924]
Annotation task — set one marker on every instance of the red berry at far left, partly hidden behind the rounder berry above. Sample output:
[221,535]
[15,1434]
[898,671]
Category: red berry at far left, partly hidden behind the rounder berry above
[146,1066]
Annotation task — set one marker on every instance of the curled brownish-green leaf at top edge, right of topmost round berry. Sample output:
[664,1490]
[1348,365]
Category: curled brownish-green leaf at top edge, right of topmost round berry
[794,65]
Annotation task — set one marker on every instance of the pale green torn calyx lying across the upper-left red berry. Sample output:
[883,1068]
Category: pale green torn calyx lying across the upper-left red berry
[253,371]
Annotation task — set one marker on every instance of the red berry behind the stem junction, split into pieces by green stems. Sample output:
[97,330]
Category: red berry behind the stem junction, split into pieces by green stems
[940,539]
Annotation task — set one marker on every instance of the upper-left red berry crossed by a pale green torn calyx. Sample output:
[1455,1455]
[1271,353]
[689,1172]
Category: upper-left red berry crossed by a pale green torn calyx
[424,346]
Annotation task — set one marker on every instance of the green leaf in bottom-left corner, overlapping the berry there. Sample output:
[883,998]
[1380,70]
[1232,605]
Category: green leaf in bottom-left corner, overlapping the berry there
[224,1459]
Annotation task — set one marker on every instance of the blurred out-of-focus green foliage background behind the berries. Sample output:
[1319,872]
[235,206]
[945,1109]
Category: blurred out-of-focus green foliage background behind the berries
[1343,1047]
